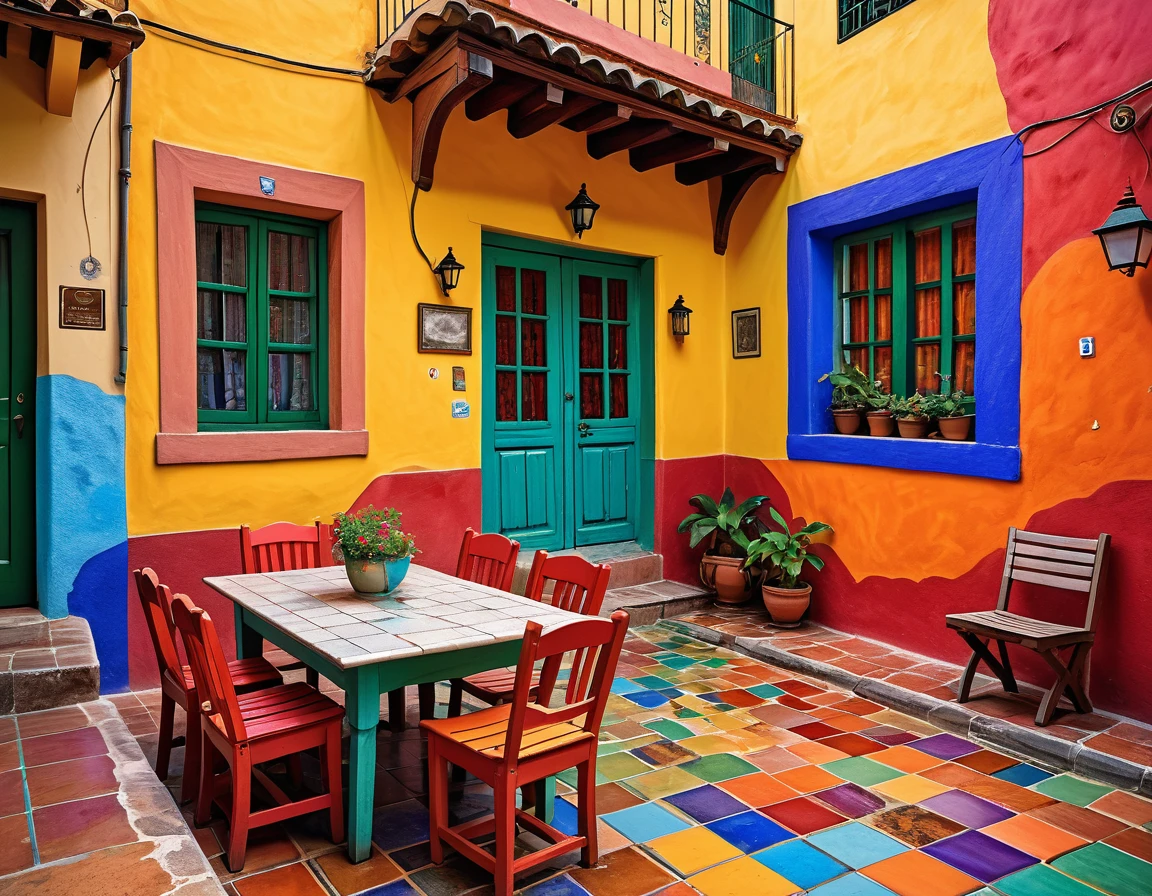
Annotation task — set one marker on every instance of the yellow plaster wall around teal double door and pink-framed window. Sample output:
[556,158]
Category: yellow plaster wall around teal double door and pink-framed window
[486,180]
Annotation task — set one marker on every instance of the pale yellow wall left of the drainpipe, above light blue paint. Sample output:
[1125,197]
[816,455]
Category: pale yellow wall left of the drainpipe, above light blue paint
[41,161]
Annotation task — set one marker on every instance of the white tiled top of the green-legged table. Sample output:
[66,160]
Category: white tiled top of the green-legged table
[431,612]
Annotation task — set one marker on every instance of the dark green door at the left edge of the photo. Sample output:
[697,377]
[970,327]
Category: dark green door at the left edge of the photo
[18,405]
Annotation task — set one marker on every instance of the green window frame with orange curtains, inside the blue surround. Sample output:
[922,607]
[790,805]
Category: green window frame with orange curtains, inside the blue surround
[899,341]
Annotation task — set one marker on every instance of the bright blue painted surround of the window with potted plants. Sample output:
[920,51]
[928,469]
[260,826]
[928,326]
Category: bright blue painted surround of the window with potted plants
[991,174]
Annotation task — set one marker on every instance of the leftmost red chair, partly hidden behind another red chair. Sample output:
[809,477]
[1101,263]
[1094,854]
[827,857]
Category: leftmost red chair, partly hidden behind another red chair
[178,686]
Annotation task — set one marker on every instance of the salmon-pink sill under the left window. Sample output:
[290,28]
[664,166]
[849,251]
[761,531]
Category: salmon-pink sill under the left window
[236,447]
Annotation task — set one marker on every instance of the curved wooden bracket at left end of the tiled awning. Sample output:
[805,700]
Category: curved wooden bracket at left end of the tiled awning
[442,86]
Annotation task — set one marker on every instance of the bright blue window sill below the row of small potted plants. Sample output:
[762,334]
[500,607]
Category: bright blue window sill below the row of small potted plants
[930,455]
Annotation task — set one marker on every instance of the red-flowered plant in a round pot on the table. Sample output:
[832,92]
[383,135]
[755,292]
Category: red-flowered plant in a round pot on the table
[376,552]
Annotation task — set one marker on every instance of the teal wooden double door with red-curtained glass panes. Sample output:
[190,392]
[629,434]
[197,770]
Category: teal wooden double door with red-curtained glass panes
[564,397]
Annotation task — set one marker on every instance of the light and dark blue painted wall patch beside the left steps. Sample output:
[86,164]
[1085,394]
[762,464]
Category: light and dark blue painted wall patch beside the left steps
[81,520]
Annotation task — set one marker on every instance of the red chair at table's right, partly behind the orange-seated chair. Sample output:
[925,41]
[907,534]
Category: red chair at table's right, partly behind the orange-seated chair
[578,587]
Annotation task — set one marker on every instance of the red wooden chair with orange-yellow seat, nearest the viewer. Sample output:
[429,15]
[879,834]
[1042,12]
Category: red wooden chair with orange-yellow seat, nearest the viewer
[524,742]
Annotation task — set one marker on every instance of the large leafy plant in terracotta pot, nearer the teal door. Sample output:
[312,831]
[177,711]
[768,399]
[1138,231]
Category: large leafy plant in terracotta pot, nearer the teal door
[726,525]
